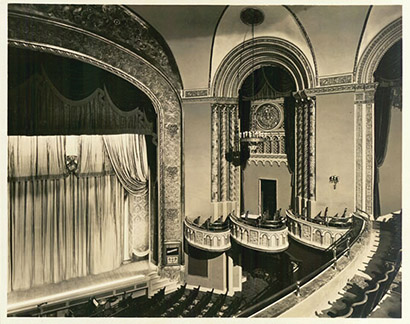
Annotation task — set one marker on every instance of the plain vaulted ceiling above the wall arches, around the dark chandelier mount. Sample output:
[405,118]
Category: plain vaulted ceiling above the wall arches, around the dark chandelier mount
[200,36]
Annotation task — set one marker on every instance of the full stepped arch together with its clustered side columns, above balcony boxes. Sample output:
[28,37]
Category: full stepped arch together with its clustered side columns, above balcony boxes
[237,65]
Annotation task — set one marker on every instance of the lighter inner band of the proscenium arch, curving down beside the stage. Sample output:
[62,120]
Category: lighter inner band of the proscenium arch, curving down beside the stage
[26,29]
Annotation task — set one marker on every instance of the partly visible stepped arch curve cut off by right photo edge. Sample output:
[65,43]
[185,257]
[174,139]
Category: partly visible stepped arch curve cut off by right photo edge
[374,52]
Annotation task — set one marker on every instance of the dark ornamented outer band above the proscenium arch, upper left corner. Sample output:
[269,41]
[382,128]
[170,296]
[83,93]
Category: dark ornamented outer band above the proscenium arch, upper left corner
[116,23]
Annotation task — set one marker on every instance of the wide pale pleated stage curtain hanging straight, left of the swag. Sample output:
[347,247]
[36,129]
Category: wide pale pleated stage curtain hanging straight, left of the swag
[61,226]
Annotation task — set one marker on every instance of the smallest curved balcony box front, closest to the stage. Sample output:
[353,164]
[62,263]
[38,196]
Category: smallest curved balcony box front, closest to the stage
[213,238]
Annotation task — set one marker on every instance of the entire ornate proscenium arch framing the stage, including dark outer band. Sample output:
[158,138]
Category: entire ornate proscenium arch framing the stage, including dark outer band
[116,40]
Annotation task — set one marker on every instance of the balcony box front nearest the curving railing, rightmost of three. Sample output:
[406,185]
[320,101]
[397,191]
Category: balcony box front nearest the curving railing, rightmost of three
[316,234]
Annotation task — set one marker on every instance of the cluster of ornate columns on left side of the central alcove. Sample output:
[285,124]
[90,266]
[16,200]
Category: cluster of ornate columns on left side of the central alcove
[224,146]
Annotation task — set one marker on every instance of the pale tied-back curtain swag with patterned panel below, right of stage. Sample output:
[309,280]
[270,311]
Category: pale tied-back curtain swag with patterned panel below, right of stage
[128,156]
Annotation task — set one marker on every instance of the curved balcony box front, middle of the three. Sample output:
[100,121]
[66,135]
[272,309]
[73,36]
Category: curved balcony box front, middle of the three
[268,236]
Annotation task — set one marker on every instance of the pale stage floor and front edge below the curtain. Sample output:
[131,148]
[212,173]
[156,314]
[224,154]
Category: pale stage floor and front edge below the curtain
[139,278]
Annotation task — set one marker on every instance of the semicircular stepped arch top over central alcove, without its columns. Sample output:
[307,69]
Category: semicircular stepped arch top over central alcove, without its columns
[247,57]
